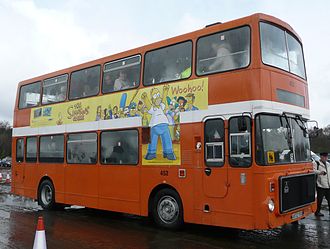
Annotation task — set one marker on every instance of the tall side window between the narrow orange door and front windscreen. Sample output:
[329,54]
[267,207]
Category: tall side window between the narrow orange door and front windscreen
[240,141]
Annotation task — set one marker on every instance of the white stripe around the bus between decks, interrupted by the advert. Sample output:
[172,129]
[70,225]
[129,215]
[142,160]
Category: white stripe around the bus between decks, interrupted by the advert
[224,110]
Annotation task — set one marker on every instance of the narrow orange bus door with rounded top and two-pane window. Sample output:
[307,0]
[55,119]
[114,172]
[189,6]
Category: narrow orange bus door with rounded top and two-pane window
[214,172]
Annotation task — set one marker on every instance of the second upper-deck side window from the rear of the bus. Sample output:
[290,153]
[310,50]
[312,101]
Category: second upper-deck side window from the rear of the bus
[54,89]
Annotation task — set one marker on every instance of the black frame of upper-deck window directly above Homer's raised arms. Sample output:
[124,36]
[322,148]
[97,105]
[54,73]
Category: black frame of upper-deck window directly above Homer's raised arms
[155,49]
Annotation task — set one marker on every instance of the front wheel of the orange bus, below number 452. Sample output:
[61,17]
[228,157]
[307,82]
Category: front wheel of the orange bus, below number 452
[167,210]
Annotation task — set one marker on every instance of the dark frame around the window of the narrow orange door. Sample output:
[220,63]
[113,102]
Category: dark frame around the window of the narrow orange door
[223,162]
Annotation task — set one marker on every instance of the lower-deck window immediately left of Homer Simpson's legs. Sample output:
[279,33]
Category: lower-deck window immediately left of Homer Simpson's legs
[119,147]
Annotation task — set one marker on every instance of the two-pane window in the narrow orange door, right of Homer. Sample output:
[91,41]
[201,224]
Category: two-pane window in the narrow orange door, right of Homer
[214,134]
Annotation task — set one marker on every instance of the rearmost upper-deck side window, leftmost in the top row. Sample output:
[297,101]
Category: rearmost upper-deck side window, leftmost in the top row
[29,95]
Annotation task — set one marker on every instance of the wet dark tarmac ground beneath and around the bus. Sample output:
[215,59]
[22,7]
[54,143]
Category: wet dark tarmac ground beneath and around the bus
[86,228]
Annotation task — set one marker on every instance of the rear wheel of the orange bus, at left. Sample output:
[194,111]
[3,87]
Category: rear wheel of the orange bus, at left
[46,195]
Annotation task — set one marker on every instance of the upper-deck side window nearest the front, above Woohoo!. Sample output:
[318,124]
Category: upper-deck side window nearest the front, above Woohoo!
[223,51]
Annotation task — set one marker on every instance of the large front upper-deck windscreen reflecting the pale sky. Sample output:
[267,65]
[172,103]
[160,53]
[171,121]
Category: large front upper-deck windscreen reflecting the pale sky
[282,50]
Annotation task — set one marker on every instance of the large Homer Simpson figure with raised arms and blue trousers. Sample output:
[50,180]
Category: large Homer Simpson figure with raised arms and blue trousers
[158,124]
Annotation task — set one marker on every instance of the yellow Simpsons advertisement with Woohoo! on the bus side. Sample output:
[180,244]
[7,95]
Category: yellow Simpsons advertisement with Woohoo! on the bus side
[157,111]
